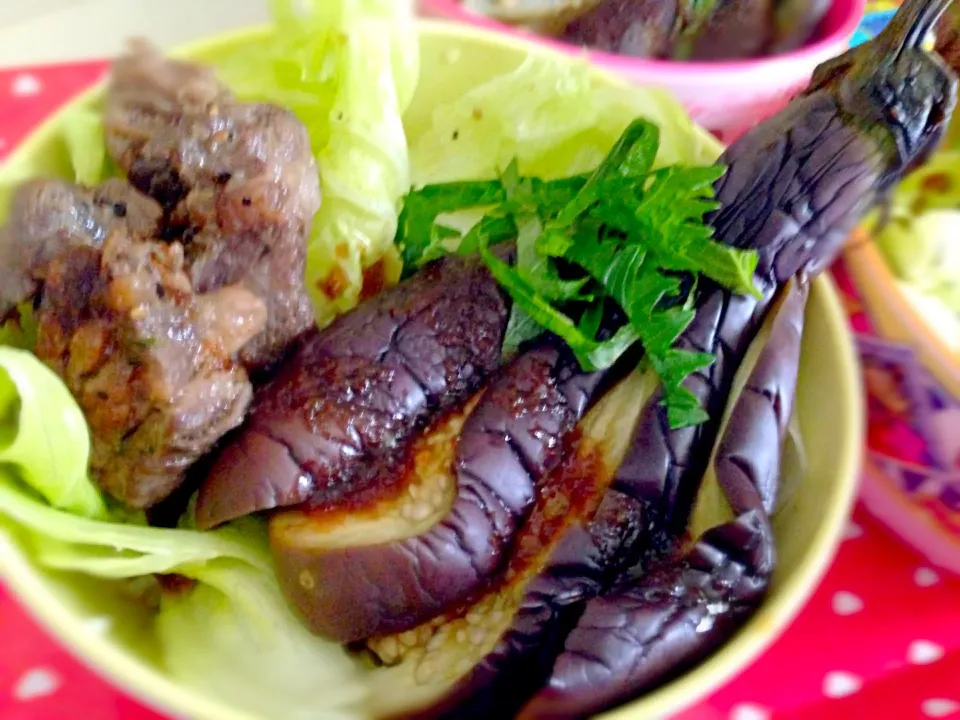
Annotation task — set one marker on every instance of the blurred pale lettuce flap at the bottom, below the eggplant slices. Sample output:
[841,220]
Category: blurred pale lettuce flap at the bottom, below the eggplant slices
[239,613]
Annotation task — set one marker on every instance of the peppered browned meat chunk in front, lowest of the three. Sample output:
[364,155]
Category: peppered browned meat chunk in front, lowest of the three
[149,362]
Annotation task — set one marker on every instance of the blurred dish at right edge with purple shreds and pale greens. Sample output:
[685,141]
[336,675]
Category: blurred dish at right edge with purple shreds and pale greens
[901,277]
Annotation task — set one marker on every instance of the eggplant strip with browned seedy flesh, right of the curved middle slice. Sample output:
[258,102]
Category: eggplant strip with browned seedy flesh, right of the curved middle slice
[479,660]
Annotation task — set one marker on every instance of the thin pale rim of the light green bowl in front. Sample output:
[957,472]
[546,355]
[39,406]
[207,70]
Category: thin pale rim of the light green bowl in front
[151,686]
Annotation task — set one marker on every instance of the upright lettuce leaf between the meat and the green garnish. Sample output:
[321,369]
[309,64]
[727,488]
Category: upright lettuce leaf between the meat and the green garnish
[349,70]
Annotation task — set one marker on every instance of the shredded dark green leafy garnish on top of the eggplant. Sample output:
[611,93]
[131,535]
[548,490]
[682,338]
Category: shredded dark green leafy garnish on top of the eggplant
[627,235]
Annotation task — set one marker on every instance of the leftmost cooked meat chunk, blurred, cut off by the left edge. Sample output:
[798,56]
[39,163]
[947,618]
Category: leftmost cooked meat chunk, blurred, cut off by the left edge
[50,216]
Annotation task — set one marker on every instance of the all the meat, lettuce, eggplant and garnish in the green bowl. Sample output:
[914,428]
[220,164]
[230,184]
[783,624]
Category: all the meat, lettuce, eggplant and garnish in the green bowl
[471,471]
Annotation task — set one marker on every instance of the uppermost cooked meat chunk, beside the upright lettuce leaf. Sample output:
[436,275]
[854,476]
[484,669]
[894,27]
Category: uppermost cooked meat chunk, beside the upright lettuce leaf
[238,182]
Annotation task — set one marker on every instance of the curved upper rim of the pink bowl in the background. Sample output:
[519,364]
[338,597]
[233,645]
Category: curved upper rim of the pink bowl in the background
[668,69]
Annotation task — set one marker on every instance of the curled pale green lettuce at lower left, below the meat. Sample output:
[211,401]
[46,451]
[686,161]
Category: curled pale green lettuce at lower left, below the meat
[232,635]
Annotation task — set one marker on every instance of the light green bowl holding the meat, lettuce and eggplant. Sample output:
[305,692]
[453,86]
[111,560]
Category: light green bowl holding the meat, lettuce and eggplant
[808,528]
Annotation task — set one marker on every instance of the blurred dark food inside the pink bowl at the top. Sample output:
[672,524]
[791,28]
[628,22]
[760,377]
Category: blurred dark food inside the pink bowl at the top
[728,30]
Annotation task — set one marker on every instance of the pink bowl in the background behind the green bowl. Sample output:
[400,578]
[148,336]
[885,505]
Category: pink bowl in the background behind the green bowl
[724,97]
